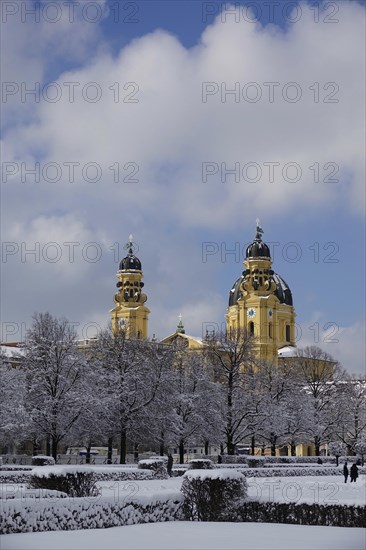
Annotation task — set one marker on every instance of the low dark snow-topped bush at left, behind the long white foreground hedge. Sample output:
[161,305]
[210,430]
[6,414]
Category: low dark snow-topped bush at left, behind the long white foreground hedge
[75,482]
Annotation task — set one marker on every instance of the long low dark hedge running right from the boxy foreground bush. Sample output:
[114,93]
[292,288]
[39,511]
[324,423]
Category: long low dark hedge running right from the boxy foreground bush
[336,515]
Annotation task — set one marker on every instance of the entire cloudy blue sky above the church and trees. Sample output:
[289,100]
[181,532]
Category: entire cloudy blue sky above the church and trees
[181,123]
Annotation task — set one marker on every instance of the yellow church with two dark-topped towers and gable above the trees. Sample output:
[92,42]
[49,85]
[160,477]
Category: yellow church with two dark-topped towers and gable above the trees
[260,303]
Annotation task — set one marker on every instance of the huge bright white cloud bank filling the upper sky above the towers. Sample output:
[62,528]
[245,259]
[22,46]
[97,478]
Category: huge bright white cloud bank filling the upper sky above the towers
[170,127]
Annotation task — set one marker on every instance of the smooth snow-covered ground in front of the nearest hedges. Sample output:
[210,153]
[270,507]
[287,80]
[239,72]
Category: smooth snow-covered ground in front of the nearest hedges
[191,535]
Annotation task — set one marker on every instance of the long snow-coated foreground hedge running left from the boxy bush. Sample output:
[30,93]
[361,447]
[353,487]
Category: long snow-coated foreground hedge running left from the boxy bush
[90,513]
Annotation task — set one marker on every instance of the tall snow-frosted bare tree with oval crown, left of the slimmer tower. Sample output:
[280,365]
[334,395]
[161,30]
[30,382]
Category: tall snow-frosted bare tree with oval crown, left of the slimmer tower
[53,367]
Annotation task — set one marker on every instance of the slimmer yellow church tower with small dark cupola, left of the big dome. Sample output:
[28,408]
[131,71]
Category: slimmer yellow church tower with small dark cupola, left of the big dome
[130,313]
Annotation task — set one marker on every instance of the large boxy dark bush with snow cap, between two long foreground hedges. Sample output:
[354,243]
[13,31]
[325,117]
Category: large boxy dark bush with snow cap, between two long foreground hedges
[212,495]
